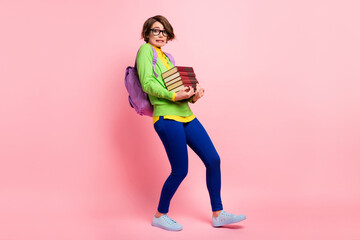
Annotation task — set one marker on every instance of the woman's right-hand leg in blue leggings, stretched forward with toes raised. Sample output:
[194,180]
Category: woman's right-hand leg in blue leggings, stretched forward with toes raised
[199,141]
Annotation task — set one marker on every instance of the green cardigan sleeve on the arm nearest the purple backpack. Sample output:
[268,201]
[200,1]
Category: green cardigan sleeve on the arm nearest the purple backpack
[147,78]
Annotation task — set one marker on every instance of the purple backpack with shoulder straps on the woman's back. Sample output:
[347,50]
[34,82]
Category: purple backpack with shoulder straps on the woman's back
[138,99]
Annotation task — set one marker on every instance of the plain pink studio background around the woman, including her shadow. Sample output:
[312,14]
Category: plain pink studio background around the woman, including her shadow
[282,105]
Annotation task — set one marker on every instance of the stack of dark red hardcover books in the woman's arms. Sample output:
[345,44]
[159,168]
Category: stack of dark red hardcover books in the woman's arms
[179,77]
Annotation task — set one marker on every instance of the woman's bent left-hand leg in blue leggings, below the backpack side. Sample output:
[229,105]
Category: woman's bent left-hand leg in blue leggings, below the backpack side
[172,135]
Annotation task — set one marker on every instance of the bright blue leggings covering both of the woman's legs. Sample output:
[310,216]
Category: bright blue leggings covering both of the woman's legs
[175,137]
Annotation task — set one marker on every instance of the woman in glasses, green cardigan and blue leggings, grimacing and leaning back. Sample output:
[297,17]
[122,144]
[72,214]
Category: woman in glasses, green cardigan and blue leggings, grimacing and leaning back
[177,126]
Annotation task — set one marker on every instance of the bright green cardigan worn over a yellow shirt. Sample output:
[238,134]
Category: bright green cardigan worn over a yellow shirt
[159,96]
